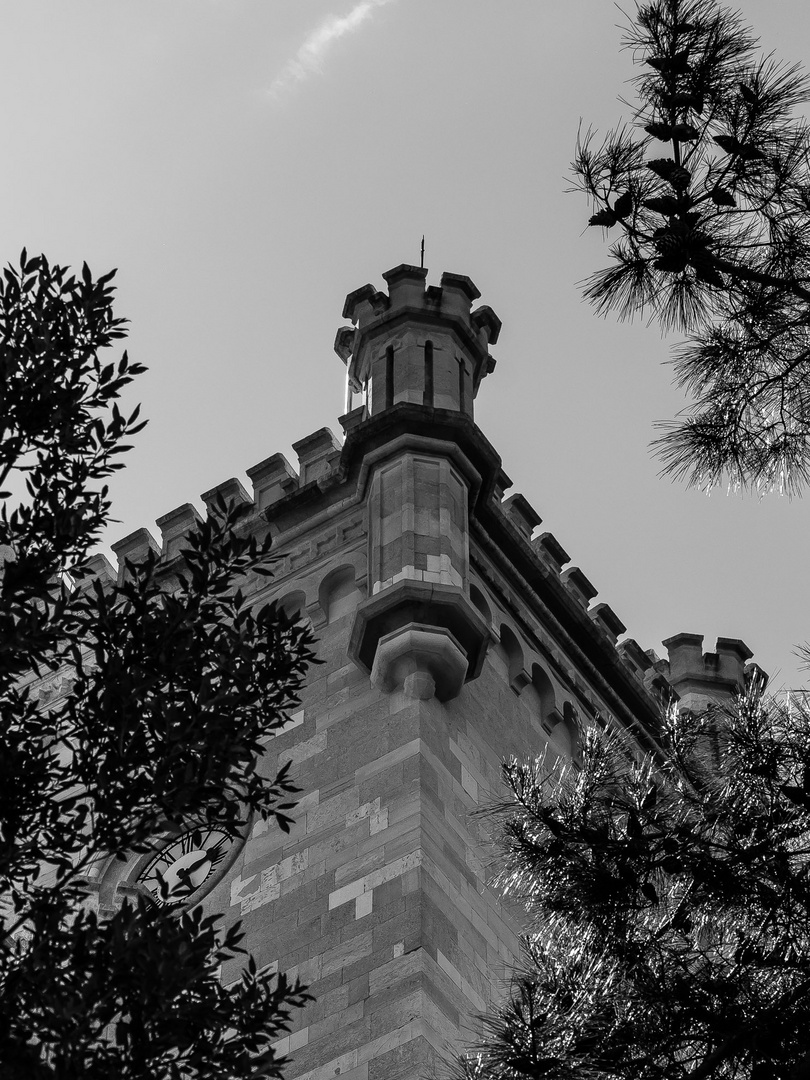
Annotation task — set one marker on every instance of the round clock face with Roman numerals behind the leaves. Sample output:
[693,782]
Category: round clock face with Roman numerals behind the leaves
[185,865]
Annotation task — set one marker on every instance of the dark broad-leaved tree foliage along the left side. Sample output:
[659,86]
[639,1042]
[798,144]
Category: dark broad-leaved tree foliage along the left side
[168,694]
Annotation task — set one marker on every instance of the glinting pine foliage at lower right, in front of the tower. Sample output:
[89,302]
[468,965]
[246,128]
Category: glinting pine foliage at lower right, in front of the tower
[669,904]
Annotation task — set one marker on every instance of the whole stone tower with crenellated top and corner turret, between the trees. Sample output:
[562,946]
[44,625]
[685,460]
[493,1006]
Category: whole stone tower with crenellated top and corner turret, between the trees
[452,638]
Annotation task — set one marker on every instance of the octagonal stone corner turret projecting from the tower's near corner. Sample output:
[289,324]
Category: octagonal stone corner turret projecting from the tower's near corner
[411,350]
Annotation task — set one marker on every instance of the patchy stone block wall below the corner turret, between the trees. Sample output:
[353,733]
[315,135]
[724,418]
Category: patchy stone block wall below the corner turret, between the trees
[379,898]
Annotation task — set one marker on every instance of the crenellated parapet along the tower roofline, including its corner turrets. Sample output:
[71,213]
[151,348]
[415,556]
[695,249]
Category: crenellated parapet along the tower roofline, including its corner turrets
[428,493]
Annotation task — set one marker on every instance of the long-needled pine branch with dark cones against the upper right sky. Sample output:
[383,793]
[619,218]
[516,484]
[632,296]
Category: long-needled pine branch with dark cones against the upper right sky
[706,195]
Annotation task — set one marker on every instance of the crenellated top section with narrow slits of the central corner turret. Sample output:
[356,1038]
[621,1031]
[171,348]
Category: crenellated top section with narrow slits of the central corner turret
[417,344]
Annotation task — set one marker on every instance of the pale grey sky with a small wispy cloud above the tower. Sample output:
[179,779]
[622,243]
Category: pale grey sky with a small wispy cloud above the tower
[247,164]
